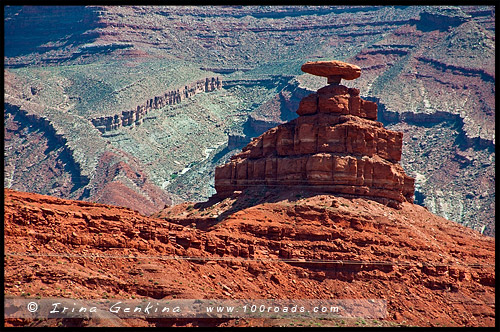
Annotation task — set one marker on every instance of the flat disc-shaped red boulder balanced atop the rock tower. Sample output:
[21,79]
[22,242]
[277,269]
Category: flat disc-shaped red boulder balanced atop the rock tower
[333,70]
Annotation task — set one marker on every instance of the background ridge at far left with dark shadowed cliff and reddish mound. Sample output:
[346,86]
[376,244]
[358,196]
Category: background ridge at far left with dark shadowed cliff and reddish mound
[38,147]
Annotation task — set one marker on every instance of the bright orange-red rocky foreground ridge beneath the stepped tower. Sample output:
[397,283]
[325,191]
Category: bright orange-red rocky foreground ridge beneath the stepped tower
[261,244]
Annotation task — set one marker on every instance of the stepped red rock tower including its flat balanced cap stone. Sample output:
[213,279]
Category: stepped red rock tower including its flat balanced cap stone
[334,146]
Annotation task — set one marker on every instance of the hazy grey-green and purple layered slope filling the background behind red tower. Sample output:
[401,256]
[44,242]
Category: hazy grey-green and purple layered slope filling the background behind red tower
[83,63]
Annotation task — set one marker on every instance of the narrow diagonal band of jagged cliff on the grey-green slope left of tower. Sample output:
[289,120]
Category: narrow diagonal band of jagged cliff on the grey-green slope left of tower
[135,116]
